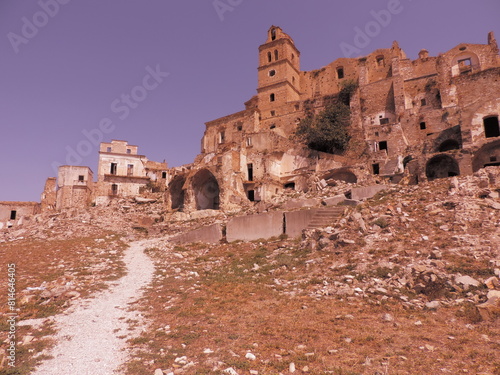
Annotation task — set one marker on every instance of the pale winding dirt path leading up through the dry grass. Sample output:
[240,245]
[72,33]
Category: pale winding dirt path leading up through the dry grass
[88,336]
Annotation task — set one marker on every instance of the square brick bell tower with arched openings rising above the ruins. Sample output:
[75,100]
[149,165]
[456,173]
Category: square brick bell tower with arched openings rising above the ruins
[278,72]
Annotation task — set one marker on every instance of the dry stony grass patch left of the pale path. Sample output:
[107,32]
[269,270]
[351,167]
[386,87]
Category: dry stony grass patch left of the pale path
[85,263]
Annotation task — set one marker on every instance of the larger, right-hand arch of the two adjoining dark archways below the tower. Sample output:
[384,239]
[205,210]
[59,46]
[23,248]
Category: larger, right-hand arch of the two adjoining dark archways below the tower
[206,190]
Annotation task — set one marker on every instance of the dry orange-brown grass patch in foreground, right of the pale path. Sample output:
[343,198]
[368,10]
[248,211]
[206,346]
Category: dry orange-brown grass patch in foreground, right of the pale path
[232,310]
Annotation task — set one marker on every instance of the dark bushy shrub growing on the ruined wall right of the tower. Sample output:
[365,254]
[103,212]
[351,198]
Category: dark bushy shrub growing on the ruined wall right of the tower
[327,131]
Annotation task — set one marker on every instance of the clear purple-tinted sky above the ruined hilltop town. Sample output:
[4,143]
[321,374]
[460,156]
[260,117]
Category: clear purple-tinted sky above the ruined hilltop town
[152,72]
